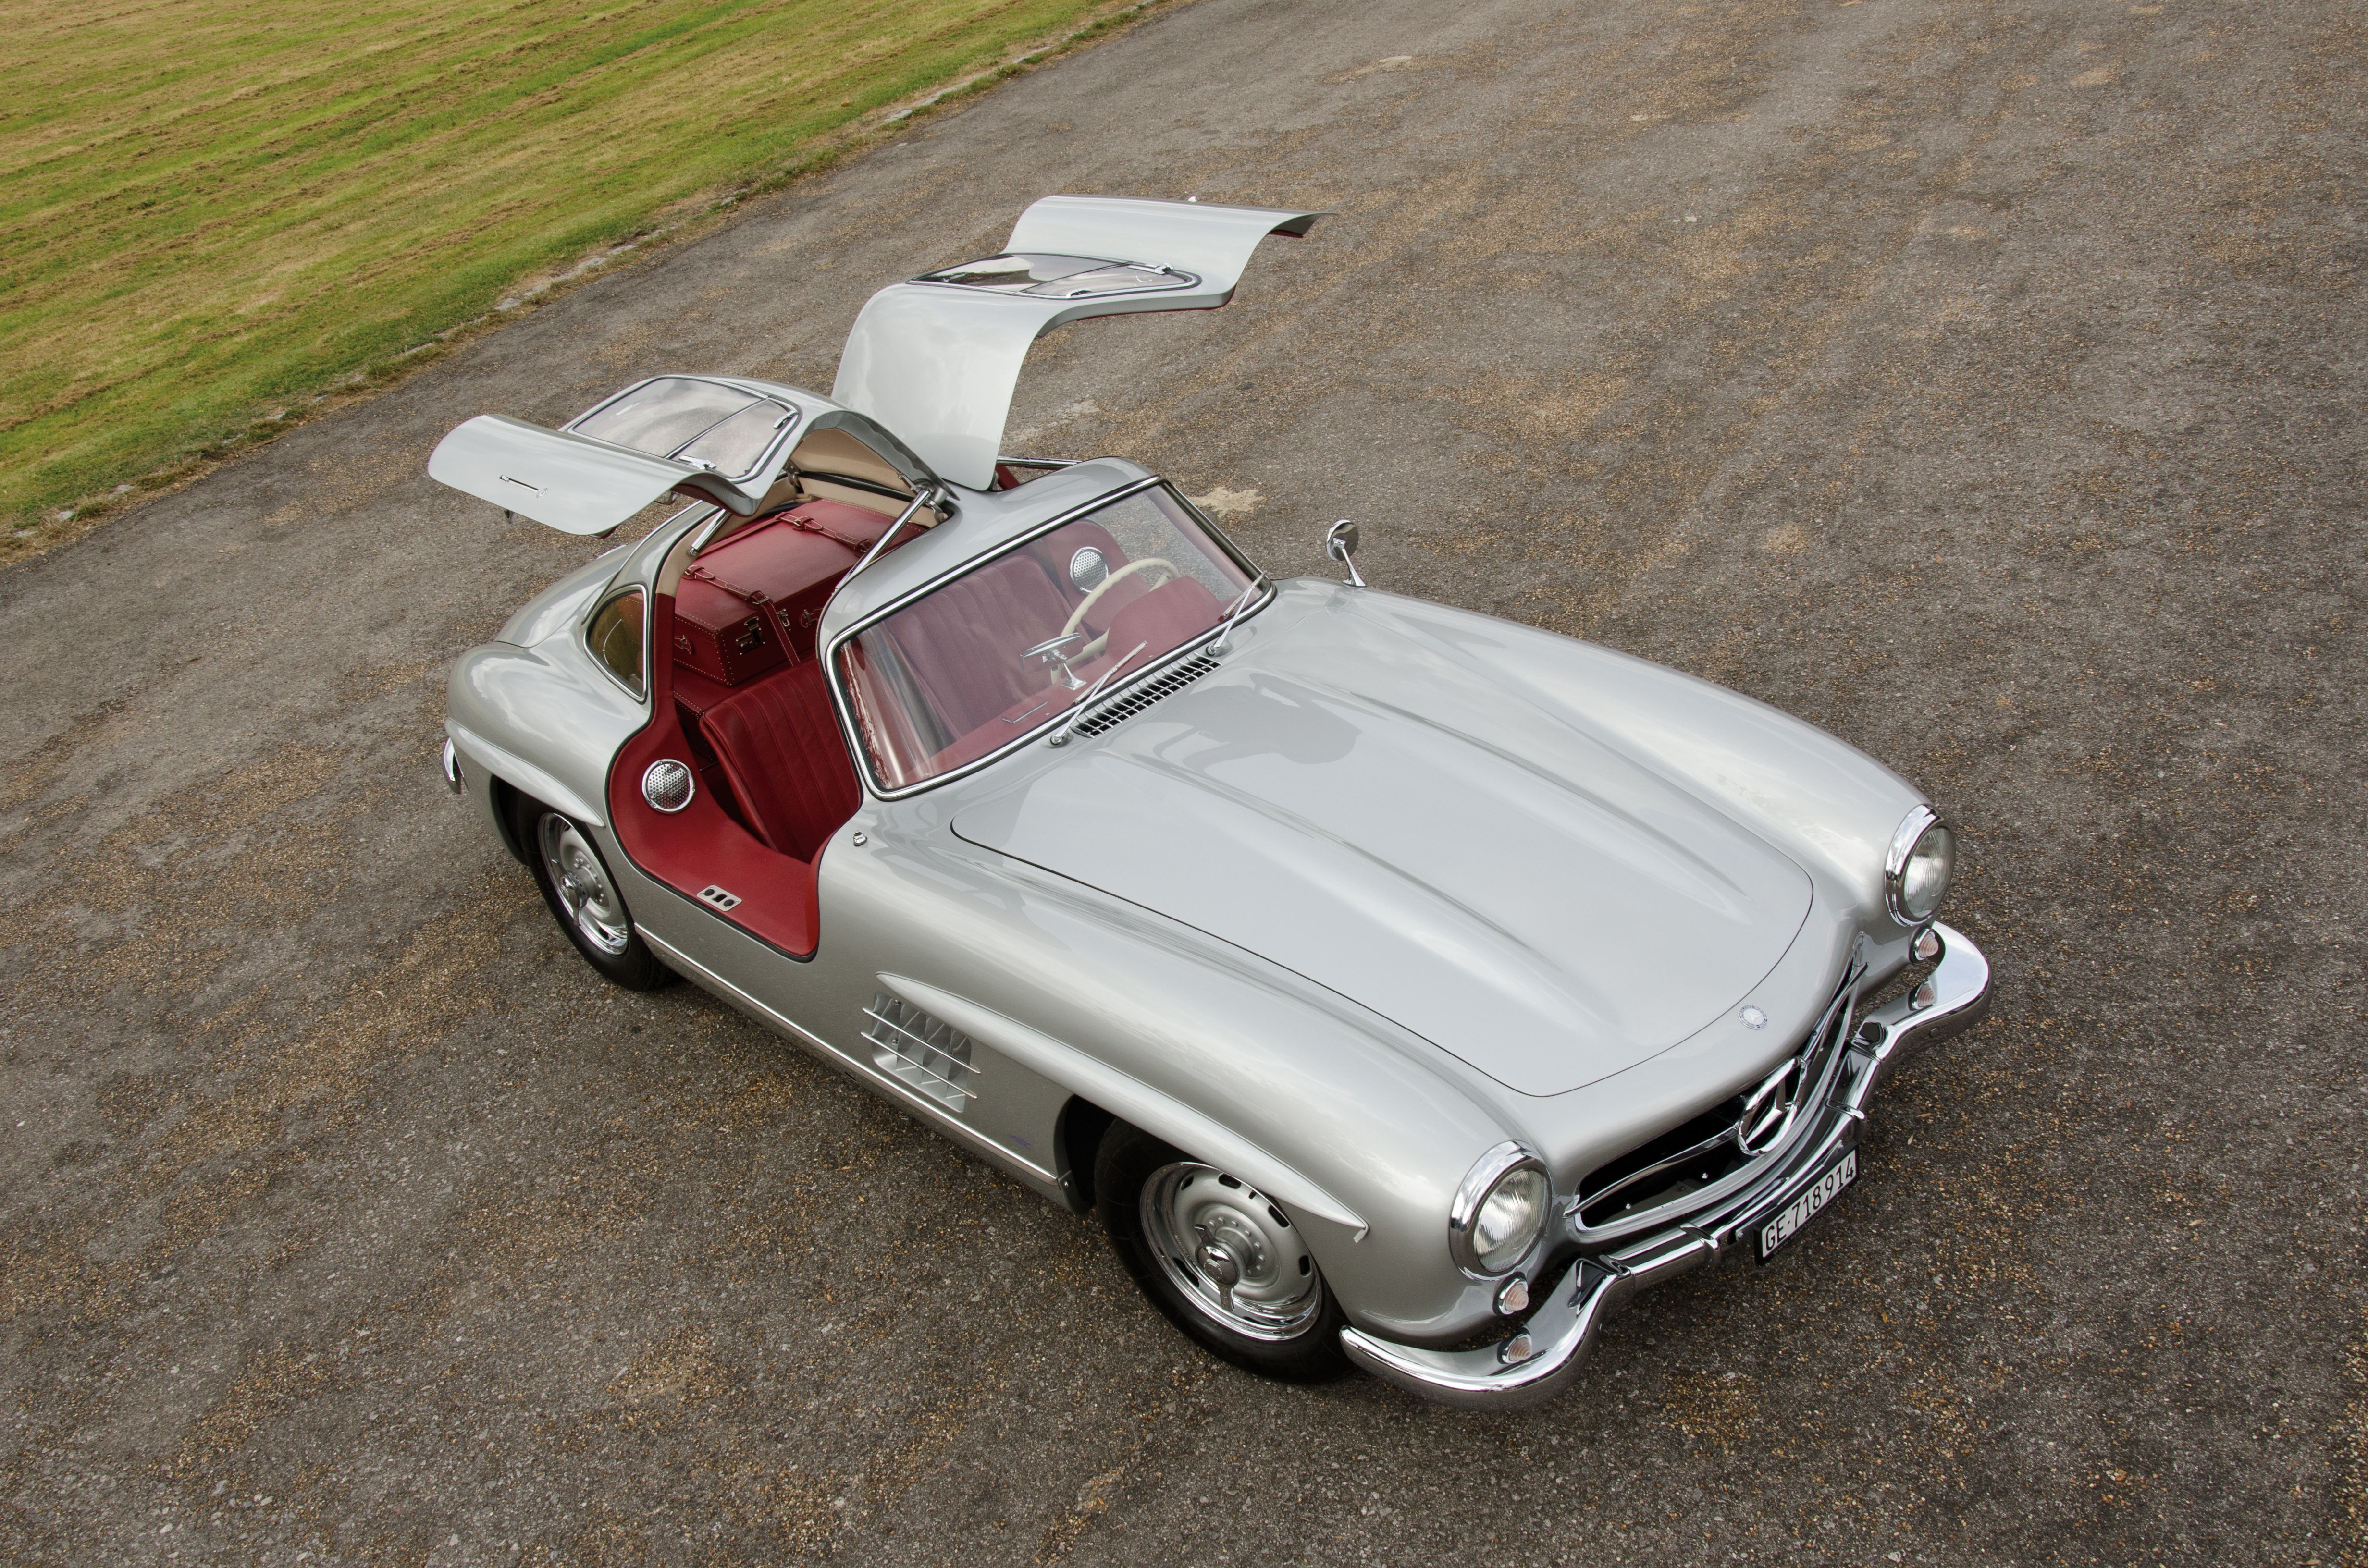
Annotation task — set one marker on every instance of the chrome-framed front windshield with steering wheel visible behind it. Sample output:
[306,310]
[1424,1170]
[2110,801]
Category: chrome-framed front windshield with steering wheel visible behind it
[1022,638]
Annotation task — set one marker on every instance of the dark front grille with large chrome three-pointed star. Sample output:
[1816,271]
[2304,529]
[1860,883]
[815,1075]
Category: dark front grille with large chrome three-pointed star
[1725,1140]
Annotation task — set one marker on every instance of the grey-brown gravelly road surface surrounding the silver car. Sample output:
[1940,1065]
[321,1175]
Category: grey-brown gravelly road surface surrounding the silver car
[1976,380]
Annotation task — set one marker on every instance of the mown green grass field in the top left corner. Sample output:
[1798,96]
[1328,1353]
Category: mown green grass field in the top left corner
[217,210]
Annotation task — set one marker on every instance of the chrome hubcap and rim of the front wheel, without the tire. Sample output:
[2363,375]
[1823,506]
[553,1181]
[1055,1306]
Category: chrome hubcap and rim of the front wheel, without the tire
[1233,1252]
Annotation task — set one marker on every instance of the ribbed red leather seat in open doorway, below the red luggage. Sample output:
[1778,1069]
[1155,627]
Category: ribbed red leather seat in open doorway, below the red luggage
[780,745]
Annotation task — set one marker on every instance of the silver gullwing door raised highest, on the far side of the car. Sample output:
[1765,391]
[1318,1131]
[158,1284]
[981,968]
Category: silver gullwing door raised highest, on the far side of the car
[937,359]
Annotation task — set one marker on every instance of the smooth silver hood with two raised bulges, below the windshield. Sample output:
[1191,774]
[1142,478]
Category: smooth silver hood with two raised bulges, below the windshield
[1386,821]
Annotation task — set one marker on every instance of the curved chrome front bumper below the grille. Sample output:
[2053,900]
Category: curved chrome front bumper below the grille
[1543,1358]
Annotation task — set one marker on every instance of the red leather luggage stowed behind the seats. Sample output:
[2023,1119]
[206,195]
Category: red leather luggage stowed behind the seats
[752,603]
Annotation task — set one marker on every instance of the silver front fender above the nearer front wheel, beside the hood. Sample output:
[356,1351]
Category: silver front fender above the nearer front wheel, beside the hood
[1356,1126]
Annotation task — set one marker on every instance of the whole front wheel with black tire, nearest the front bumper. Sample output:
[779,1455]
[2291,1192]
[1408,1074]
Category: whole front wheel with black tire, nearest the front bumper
[1294,1337]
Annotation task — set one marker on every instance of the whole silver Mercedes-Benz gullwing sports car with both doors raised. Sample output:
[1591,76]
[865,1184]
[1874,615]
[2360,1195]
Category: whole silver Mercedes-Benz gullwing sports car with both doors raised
[1401,987]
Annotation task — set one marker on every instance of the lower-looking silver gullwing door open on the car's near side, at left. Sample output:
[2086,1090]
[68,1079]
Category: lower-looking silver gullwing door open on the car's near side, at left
[702,437]
